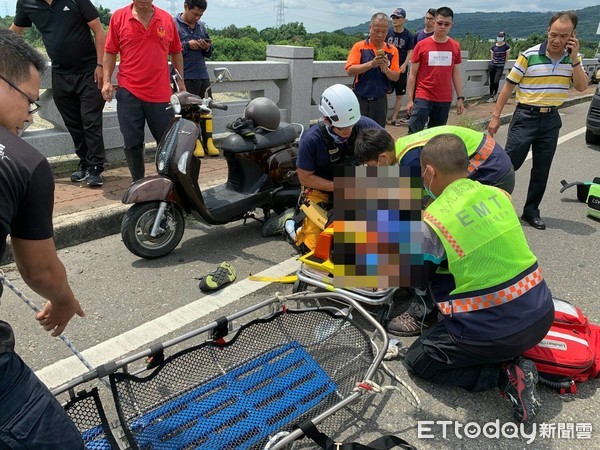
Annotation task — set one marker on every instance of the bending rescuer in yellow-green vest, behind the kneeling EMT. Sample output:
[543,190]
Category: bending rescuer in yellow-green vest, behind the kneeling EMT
[488,162]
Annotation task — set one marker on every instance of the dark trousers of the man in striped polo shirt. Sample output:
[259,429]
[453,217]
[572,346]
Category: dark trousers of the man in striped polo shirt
[538,131]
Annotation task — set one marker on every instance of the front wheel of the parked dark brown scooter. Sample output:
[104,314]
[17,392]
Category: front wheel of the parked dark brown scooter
[137,226]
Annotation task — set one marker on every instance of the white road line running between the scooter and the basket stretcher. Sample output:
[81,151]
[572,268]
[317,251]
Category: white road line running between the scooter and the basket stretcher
[69,368]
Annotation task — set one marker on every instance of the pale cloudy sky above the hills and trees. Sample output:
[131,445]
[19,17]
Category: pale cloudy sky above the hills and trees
[319,15]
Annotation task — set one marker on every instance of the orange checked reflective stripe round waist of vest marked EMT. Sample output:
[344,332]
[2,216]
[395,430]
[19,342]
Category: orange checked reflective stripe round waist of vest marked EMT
[492,299]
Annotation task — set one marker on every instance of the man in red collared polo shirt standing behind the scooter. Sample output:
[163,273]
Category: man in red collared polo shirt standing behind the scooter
[145,36]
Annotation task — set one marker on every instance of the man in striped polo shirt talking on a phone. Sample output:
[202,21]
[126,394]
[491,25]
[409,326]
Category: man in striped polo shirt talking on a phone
[542,75]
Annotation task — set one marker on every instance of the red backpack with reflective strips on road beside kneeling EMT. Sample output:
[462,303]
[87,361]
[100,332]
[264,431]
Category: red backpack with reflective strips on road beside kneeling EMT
[570,352]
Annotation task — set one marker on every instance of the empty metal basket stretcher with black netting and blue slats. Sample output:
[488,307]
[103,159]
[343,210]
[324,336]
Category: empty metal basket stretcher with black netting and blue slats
[331,316]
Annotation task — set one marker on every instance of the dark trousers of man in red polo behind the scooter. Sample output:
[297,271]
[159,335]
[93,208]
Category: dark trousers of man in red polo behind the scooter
[134,113]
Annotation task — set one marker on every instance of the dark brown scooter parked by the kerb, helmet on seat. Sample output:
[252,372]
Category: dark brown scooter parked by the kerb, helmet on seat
[261,175]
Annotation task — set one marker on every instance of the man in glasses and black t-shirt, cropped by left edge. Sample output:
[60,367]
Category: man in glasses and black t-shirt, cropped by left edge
[30,416]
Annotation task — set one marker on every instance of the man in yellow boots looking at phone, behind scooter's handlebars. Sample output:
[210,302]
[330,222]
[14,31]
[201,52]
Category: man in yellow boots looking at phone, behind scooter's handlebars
[197,46]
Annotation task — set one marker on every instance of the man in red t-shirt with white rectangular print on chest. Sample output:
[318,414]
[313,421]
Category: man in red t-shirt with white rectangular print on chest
[435,67]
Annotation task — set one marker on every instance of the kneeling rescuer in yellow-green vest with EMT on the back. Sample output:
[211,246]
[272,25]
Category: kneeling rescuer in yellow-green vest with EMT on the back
[499,305]
